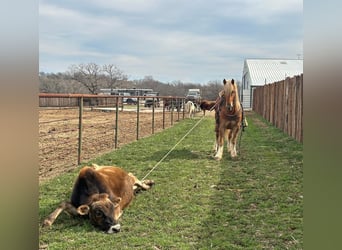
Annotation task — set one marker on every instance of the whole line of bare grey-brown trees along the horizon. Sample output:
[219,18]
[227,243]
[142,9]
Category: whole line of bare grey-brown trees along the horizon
[90,78]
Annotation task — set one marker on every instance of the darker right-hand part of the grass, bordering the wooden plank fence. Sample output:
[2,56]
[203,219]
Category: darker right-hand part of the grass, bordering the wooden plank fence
[256,203]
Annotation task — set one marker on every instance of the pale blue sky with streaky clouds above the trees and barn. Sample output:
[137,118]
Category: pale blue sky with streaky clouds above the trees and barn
[171,40]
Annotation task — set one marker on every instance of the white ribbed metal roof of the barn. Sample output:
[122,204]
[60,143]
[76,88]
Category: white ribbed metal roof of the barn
[263,71]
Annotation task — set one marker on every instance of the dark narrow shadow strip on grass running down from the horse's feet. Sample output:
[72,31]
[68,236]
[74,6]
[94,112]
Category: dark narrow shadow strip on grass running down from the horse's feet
[227,224]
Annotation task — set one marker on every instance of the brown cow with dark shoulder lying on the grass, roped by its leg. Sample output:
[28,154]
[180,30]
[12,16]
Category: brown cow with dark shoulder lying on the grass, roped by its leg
[101,192]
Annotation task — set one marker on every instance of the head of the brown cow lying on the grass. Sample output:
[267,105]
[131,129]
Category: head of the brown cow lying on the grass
[103,212]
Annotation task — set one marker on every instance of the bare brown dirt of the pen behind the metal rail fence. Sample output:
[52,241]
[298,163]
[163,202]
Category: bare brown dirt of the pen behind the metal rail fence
[58,135]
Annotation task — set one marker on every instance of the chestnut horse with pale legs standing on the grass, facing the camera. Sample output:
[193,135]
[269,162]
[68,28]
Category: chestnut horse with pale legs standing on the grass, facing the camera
[228,116]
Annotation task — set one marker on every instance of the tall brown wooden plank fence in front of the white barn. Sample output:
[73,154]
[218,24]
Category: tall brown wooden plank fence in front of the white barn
[281,103]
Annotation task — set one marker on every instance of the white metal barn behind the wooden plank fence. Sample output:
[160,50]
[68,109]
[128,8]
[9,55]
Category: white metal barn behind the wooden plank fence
[258,72]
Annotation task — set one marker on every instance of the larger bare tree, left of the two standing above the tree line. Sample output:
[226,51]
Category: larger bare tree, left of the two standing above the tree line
[88,75]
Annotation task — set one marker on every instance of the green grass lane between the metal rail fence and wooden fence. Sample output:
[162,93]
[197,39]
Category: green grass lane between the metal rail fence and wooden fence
[252,202]
